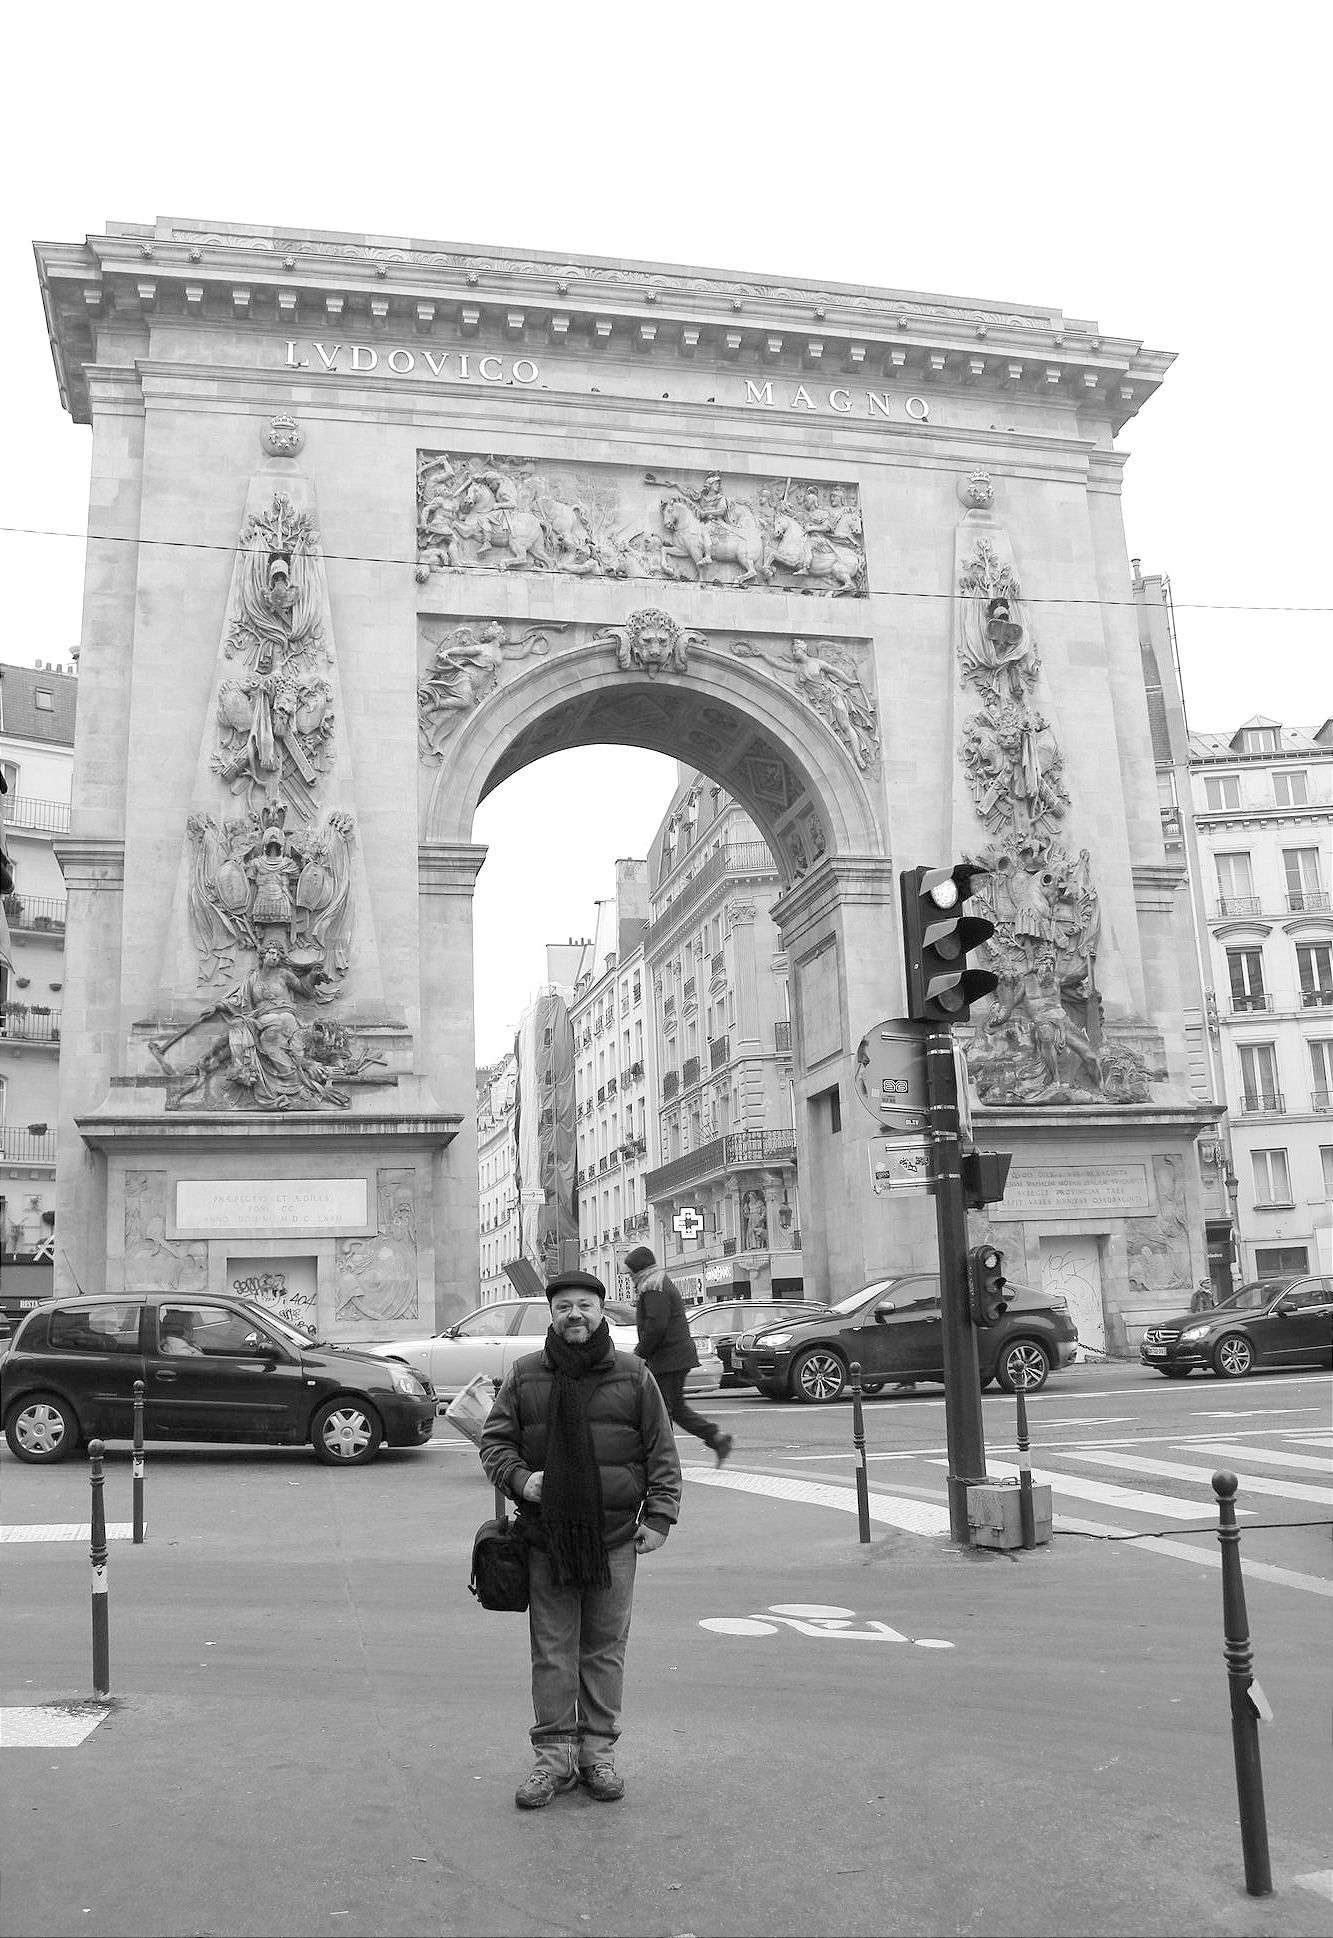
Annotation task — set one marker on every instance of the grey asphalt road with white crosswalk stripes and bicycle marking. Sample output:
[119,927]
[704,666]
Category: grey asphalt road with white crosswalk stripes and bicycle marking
[315,1730]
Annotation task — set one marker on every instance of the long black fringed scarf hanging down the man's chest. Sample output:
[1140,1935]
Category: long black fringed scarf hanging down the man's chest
[573,1484]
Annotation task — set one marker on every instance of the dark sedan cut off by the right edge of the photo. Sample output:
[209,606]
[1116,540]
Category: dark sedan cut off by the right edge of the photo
[1268,1323]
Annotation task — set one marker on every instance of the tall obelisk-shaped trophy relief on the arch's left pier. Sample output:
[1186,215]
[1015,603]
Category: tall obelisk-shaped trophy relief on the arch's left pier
[270,927]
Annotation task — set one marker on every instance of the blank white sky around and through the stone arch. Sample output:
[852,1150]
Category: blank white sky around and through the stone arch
[1162,170]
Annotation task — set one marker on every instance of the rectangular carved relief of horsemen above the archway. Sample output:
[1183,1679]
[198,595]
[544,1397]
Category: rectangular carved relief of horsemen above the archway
[511,515]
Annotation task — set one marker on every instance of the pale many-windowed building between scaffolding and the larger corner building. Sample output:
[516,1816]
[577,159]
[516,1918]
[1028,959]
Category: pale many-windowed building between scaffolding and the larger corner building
[615,1080]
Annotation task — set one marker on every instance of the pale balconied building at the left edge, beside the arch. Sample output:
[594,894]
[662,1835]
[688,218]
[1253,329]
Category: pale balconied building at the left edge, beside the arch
[38,761]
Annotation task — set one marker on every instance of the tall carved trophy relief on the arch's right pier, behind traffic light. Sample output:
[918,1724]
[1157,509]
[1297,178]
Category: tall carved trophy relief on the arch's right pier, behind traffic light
[1041,1038]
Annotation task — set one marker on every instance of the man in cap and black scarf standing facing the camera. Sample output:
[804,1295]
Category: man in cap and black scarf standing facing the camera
[580,1439]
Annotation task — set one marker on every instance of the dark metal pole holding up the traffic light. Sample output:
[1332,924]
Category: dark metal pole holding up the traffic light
[962,1379]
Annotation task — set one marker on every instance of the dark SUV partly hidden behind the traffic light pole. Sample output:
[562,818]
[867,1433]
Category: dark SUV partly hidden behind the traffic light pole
[894,1330]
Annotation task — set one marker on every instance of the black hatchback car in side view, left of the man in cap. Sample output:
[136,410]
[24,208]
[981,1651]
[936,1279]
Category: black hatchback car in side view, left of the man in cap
[212,1369]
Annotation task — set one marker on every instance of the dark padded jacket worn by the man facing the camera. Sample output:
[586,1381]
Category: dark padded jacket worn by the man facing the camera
[633,1441]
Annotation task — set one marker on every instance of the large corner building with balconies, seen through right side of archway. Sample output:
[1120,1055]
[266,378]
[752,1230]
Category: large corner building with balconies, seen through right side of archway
[724,1191]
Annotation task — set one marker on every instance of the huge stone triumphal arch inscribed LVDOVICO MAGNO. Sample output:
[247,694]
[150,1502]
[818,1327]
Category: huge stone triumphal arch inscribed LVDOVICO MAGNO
[377,524]
